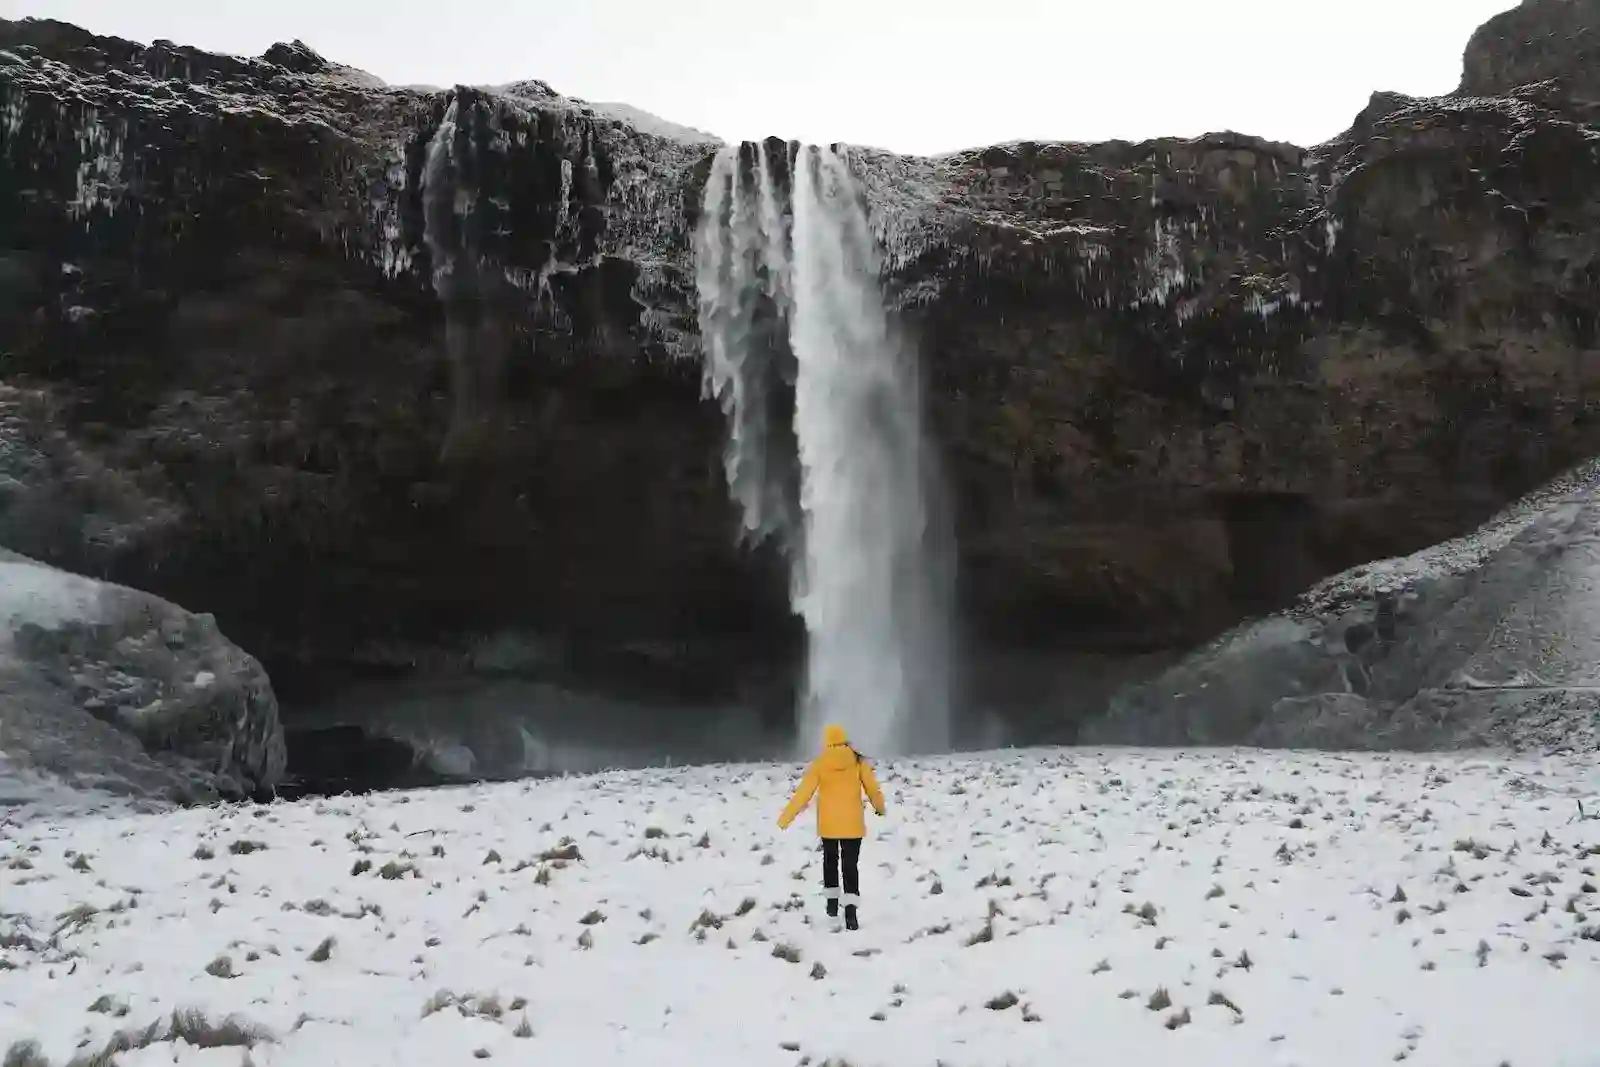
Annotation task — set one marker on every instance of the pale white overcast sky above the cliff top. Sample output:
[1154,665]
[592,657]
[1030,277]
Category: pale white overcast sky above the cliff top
[914,76]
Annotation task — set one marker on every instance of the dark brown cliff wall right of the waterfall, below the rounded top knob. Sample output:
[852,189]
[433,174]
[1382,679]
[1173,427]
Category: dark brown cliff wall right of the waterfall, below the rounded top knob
[1226,369]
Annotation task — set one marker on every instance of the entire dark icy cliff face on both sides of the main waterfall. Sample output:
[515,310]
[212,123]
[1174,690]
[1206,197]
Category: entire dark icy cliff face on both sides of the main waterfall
[1175,383]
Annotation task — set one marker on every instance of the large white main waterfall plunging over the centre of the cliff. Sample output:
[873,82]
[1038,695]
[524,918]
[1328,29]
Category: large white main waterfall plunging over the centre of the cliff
[868,537]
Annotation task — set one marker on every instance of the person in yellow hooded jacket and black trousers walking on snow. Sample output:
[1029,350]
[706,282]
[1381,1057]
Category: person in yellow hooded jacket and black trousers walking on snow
[838,778]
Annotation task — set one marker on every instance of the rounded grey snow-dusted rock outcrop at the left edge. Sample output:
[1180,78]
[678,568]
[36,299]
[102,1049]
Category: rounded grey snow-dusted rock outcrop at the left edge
[116,692]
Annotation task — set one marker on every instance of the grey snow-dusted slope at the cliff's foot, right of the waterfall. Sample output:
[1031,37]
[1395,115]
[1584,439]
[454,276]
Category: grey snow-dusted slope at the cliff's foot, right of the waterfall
[1486,641]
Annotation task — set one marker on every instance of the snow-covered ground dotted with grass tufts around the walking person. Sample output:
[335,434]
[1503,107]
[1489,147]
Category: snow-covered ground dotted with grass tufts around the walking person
[1033,908]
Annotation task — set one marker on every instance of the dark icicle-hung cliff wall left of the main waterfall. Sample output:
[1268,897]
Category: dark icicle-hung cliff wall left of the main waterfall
[230,378]
